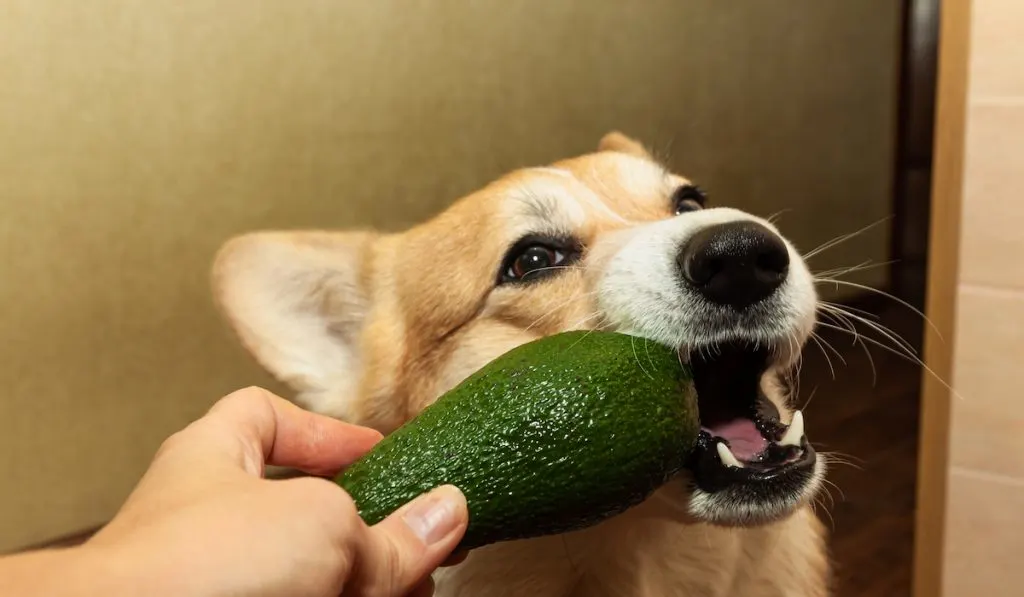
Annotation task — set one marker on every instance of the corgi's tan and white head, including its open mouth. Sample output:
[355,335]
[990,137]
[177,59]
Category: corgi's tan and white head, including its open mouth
[372,328]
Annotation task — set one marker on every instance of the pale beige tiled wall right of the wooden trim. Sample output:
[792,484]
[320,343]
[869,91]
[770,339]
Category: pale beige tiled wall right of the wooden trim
[986,507]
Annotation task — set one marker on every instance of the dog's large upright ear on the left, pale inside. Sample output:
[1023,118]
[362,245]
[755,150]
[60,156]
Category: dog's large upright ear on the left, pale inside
[298,302]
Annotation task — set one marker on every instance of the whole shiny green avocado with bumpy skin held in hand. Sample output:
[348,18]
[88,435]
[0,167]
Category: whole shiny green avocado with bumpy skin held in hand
[553,437]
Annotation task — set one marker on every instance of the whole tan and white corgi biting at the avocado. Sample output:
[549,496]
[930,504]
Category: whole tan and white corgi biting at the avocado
[371,328]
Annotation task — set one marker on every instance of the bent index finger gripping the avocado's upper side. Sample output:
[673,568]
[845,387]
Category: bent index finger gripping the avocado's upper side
[257,428]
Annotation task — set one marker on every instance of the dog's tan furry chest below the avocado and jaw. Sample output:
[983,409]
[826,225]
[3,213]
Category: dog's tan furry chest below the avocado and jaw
[651,551]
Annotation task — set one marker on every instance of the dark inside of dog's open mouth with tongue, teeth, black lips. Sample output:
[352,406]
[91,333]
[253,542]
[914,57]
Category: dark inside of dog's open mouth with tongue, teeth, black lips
[743,441]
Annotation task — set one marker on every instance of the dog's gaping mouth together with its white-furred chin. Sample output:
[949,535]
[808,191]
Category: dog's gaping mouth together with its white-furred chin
[748,467]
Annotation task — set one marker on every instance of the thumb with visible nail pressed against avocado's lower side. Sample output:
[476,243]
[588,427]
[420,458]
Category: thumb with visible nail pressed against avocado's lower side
[408,546]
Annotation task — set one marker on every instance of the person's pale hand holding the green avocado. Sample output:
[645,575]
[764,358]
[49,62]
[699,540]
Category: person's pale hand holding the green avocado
[204,523]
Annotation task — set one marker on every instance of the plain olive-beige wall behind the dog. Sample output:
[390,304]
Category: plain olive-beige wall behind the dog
[137,136]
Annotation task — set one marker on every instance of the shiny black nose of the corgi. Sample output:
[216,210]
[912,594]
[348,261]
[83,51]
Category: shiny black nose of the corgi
[736,265]
